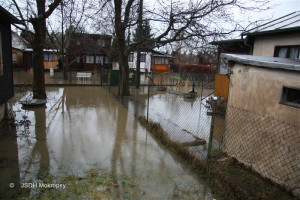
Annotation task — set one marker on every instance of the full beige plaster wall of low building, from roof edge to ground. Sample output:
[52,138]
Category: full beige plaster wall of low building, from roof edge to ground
[261,132]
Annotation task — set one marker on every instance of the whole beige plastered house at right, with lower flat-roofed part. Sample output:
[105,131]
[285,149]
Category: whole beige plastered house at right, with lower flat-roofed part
[263,107]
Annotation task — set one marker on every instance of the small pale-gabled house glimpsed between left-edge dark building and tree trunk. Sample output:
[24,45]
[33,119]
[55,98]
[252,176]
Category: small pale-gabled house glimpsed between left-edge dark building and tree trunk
[19,44]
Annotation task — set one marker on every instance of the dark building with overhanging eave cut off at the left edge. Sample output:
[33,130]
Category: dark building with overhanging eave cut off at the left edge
[6,72]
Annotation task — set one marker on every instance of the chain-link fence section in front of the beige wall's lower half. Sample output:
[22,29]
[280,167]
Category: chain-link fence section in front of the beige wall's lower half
[269,146]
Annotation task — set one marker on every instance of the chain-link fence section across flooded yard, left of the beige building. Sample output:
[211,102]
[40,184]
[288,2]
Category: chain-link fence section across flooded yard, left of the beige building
[186,121]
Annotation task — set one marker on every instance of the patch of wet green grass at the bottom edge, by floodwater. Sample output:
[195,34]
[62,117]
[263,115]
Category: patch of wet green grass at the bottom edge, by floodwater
[96,184]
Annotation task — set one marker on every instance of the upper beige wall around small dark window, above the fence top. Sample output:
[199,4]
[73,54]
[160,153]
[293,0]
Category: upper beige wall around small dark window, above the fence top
[259,90]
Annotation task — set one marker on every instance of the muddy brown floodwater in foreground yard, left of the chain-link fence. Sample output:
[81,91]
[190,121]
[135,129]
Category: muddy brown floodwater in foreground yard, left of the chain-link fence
[82,128]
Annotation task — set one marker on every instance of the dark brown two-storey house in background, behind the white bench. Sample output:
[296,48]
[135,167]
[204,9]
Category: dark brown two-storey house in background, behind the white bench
[89,52]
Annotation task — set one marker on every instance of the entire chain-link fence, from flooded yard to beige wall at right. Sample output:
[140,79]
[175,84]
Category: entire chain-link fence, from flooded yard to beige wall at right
[267,145]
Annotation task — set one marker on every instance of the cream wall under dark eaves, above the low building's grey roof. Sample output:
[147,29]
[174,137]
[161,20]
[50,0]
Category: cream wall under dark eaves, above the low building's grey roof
[265,45]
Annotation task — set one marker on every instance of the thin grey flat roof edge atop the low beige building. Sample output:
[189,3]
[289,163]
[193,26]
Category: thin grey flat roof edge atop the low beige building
[264,61]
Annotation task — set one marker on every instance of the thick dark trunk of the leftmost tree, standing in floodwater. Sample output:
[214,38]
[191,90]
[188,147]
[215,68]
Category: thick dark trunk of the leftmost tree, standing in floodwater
[38,88]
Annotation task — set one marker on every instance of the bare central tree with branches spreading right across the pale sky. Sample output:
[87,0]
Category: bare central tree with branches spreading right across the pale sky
[176,20]
